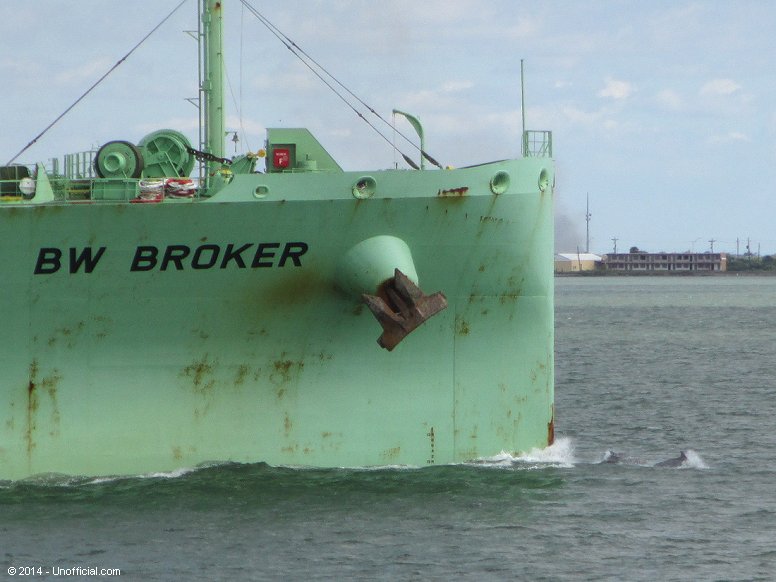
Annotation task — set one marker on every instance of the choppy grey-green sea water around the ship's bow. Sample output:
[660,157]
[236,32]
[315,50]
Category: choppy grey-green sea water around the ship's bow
[645,367]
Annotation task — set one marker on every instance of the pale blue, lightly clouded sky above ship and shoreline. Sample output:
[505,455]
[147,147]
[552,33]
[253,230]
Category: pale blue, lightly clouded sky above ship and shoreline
[663,113]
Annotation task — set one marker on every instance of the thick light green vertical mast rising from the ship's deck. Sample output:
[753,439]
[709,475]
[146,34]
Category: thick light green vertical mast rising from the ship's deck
[213,84]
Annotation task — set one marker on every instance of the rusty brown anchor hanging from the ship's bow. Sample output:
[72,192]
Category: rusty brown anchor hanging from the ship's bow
[403,308]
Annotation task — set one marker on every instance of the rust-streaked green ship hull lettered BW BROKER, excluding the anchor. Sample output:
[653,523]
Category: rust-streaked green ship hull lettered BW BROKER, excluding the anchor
[233,327]
